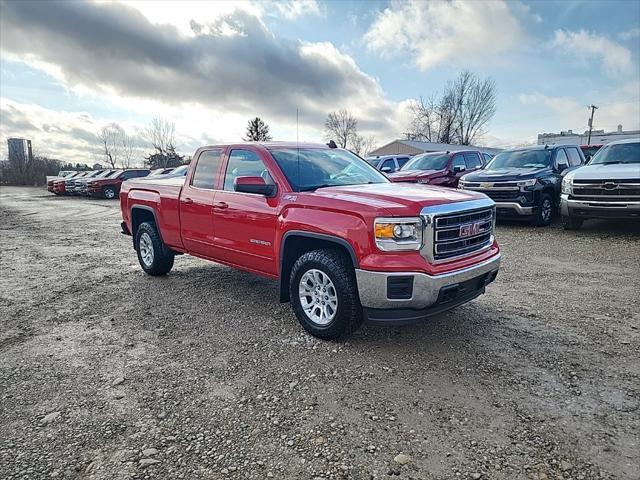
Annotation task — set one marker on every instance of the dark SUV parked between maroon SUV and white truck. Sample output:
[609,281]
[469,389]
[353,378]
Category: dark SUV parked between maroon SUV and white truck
[526,182]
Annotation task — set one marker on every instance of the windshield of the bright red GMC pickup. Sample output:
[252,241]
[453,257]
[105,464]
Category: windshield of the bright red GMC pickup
[311,168]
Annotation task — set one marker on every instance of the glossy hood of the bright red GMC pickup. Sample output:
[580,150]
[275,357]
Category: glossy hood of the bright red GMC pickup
[396,198]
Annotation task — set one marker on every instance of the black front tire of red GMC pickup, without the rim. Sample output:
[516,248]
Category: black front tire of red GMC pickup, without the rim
[339,270]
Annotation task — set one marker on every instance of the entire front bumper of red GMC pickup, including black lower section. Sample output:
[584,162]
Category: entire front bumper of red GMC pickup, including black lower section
[420,295]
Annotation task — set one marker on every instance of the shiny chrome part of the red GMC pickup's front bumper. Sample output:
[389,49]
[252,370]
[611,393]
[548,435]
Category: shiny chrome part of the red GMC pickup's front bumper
[373,286]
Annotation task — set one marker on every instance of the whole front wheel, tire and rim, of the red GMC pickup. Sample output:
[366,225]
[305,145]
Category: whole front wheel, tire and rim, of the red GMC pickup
[324,294]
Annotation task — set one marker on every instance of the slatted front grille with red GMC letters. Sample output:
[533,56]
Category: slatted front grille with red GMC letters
[462,233]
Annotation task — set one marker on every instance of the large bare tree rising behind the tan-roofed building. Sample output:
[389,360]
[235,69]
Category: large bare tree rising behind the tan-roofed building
[460,115]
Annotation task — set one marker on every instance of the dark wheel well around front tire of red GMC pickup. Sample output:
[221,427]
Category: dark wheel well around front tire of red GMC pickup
[295,243]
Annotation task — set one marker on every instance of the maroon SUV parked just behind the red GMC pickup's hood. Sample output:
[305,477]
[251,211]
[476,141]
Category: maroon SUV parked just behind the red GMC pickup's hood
[443,169]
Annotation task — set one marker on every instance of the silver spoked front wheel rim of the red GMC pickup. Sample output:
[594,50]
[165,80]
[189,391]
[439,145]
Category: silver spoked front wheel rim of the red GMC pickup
[318,297]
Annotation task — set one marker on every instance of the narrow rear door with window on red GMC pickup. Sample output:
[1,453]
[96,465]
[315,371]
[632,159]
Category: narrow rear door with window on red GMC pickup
[196,203]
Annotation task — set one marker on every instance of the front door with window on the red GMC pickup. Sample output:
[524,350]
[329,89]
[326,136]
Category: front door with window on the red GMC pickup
[245,223]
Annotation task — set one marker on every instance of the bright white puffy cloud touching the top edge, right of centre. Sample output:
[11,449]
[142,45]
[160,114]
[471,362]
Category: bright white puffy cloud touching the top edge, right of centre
[433,33]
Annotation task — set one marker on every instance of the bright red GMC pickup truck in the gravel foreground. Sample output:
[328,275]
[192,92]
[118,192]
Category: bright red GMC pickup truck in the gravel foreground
[344,243]
